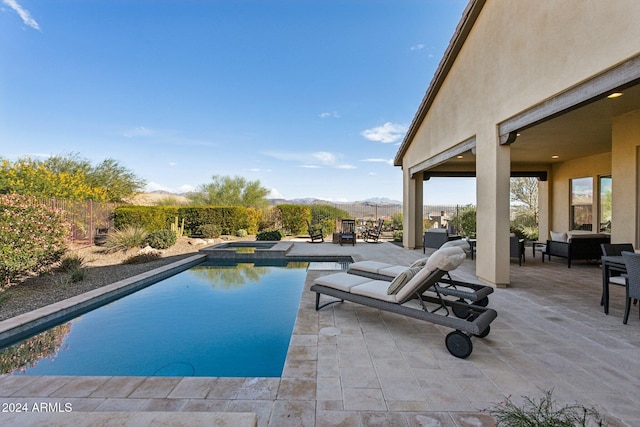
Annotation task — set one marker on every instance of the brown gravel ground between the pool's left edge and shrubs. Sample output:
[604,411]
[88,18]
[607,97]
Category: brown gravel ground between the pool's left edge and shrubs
[101,269]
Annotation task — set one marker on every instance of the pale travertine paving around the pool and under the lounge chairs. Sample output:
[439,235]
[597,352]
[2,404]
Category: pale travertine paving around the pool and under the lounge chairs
[356,366]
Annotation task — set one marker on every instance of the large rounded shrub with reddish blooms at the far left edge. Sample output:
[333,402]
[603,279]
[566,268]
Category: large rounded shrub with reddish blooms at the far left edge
[32,236]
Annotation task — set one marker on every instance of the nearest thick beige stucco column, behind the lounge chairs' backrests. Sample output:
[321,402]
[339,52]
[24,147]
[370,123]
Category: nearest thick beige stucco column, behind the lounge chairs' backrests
[492,214]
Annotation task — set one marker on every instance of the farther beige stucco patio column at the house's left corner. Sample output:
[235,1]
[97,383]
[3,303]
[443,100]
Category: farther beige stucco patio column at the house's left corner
[412,210]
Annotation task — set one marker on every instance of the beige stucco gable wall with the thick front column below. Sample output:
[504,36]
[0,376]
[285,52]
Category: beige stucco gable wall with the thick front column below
[518,54]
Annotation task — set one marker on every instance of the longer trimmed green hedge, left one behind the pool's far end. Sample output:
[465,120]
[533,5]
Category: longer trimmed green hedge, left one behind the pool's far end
[230,219]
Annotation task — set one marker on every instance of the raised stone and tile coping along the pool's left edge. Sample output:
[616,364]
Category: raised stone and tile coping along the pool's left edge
[22,326]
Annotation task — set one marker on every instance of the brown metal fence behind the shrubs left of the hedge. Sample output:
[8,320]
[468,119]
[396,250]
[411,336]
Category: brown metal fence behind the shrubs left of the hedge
[85,216]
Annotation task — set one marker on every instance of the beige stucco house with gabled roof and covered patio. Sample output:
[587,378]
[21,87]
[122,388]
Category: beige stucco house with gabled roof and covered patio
[544,88]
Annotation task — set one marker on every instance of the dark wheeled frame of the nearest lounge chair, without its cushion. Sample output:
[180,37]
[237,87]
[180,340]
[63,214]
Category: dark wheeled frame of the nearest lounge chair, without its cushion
[476,323]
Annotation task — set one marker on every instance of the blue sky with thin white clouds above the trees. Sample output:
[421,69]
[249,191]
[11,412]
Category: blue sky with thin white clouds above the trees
[310,97]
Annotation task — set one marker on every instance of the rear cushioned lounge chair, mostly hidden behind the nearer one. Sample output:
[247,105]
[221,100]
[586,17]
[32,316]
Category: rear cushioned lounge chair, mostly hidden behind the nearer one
[466,292]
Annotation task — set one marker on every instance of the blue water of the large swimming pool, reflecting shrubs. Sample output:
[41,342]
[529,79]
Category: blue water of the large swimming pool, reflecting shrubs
[210,320]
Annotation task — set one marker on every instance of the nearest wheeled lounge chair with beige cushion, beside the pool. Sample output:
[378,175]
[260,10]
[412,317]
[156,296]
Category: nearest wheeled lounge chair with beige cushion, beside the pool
[395,297]
